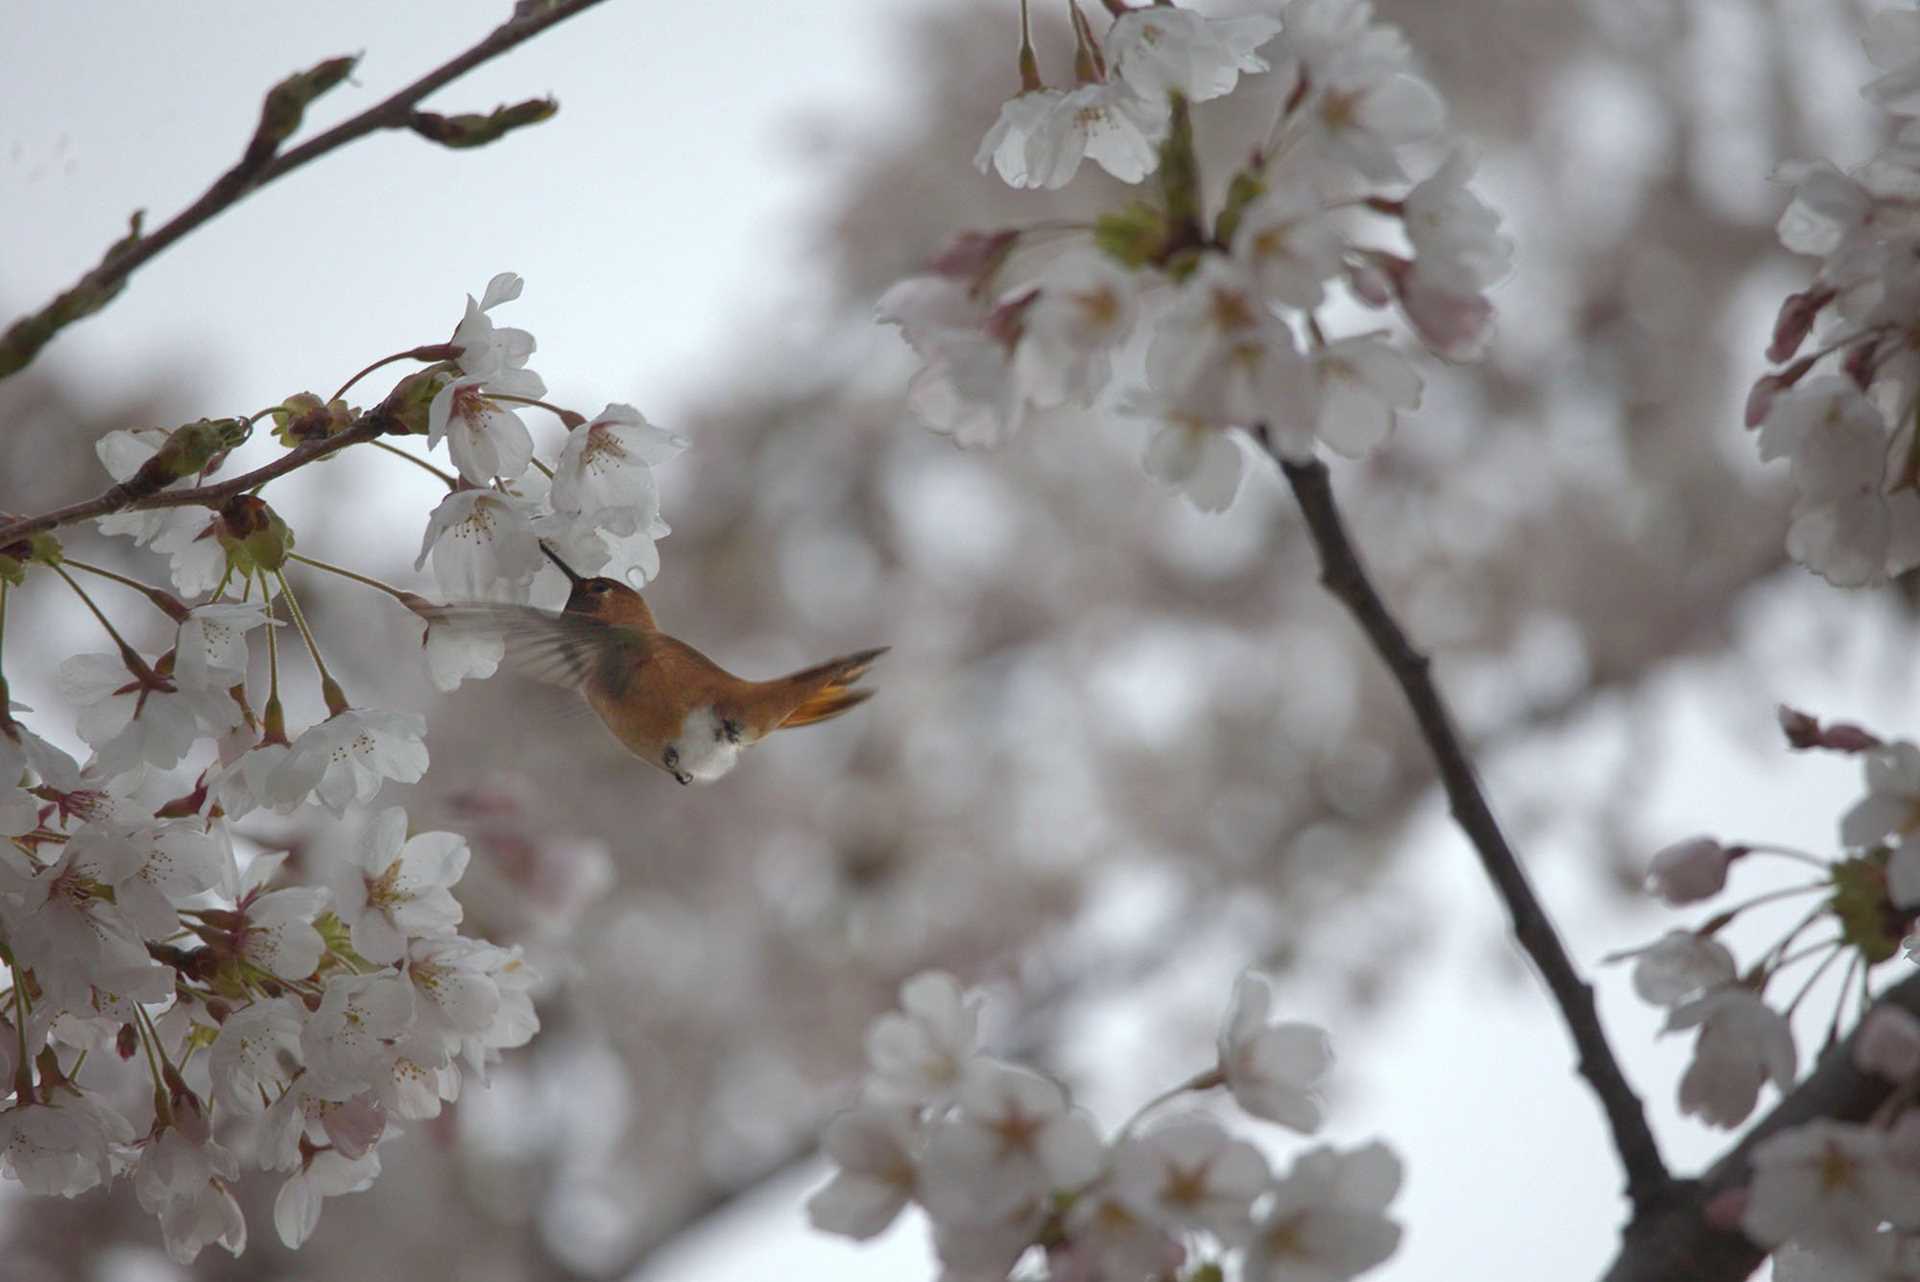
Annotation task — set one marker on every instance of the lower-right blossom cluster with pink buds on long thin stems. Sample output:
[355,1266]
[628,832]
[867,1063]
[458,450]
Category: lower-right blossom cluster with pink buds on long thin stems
[1836,1200]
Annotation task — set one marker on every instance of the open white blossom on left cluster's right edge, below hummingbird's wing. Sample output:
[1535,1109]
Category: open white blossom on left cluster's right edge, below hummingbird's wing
[396,888]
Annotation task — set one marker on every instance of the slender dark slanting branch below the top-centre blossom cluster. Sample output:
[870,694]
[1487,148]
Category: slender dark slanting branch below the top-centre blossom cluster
[1343,575]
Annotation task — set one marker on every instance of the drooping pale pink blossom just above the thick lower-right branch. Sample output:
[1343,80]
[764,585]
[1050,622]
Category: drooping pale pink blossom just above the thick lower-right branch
[1742,1045]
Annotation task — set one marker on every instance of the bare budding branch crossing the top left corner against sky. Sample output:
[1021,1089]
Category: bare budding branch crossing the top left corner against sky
[256,170]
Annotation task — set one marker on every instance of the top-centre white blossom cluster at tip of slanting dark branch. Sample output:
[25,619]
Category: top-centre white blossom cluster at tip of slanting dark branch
[1226,314]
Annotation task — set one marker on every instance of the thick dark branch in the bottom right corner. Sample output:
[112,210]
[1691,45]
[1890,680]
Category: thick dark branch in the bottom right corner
[1675,1243]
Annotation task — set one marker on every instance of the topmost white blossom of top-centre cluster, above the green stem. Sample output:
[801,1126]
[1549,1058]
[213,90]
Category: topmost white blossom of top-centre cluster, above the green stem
[1164,51]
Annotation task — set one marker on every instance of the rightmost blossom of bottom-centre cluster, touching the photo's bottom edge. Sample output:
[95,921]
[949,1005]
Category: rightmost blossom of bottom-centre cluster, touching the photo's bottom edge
[1328,1218]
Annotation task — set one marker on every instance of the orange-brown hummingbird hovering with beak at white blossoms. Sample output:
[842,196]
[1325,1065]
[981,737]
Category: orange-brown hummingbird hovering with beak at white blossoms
[665,701]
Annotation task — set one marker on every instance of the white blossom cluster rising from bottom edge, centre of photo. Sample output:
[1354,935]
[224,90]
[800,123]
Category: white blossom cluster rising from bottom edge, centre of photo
[1011,1172]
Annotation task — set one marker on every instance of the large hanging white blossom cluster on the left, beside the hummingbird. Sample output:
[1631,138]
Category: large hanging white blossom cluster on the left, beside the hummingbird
[285,1009]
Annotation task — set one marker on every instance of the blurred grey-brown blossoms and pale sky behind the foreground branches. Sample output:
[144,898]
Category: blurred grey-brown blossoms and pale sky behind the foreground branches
[1122,749]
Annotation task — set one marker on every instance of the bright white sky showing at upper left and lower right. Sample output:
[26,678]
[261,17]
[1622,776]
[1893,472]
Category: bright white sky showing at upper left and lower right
[661,222]
